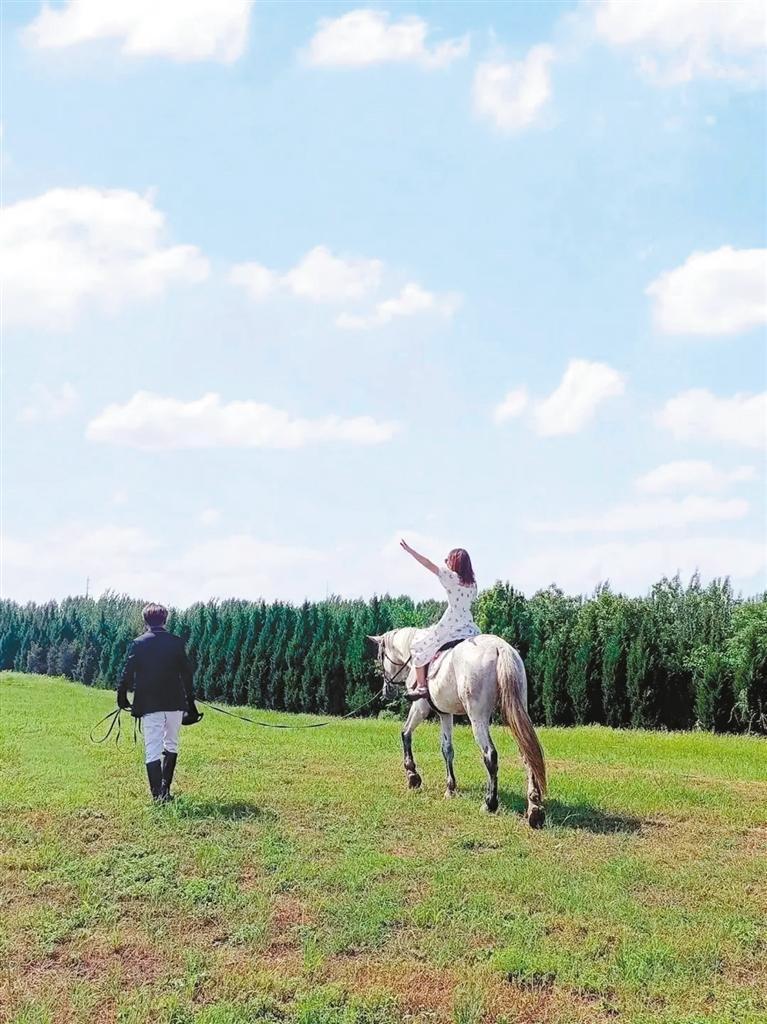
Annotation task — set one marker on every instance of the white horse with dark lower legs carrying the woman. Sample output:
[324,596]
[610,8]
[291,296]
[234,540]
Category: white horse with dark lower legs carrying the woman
[472,679]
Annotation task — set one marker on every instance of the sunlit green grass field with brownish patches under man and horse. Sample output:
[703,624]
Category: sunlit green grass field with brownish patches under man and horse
[296,880]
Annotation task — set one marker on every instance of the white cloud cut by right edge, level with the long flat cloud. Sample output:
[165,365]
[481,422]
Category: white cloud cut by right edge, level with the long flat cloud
[699,415]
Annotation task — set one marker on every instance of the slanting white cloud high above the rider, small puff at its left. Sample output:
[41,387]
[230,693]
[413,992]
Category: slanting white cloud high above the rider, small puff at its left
[585,387]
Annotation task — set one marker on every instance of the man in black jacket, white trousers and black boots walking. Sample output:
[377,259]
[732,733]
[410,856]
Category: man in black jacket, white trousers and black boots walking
[159,673]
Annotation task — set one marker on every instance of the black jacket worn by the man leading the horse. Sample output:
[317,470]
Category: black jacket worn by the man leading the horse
[159,673]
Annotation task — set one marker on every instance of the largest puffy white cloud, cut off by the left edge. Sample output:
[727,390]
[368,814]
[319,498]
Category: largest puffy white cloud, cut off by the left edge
[70,247]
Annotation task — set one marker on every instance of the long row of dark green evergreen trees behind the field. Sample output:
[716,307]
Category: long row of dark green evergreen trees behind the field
[677,659]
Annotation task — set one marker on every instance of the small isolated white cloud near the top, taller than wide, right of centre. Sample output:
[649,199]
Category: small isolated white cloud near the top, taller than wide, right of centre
[513,95]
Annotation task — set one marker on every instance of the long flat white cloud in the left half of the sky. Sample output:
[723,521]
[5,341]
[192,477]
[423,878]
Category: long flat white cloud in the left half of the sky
[155,422]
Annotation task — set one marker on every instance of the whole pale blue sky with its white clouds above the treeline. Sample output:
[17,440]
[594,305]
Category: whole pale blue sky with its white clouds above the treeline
[483,275]
